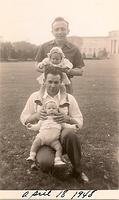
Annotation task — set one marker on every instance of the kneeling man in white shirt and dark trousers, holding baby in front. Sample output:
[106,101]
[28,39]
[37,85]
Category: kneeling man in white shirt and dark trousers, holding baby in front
[69,113]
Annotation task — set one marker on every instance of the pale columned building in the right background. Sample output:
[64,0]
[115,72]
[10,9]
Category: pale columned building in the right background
[98,47]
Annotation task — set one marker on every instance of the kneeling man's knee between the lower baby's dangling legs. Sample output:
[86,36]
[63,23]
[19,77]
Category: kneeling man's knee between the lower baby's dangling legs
[45,158]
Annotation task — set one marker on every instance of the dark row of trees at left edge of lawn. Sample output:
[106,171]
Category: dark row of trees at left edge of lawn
[17,51]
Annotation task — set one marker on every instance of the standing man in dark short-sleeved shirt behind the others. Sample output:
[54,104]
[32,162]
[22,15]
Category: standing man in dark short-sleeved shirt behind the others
[60,30]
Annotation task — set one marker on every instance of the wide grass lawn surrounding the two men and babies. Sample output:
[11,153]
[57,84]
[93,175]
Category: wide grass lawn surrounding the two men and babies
[97,94]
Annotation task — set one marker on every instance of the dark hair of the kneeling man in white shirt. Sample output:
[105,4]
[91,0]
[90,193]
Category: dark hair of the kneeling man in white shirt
[50,69]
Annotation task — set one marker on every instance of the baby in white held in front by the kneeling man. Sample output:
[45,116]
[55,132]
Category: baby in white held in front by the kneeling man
[49,133]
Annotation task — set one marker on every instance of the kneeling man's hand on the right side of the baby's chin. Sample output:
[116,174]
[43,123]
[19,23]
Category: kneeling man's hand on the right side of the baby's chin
[61,118]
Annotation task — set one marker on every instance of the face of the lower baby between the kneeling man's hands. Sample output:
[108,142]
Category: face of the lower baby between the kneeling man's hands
[51,108]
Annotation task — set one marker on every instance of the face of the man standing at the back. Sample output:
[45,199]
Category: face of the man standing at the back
[60,30]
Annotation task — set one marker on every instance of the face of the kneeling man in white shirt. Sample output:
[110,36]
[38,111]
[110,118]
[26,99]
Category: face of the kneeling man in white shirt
[52,84]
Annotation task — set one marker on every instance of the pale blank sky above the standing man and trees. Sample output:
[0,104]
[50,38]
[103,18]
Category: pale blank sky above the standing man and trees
[30,20]
